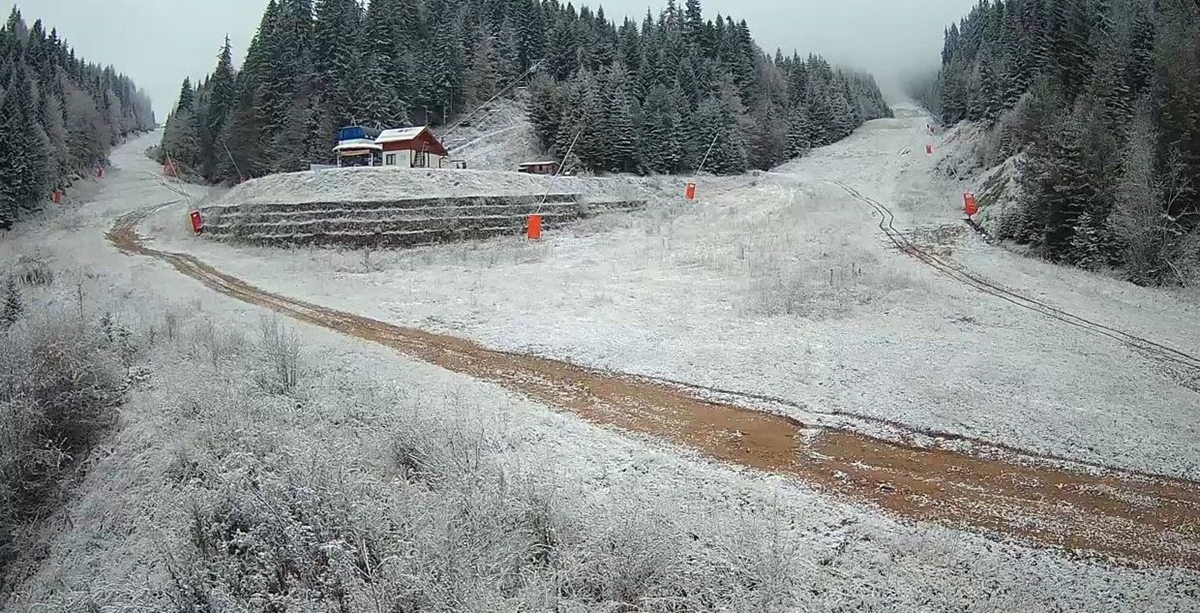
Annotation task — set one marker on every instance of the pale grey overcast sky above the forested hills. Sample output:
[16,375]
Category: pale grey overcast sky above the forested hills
[159,43]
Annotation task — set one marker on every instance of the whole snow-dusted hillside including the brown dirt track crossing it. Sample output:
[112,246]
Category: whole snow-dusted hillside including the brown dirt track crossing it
[437,425]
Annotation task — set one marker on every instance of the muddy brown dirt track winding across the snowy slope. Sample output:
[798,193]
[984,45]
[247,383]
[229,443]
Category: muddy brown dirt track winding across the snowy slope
[1112,515]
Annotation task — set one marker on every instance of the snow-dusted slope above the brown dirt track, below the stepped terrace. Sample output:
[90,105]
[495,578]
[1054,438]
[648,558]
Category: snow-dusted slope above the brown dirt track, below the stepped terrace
[782,285]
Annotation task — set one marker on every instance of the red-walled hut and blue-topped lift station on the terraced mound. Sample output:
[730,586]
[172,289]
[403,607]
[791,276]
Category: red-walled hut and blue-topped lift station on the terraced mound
[406,148]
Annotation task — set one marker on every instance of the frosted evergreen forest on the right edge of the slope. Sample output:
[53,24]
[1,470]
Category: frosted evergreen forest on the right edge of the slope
[1102,100]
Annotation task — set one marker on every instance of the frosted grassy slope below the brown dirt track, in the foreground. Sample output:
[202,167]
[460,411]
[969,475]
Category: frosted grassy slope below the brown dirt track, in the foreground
[387,489]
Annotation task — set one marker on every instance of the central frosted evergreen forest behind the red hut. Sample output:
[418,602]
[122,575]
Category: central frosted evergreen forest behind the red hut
[653,98]
